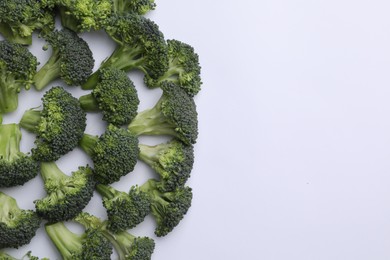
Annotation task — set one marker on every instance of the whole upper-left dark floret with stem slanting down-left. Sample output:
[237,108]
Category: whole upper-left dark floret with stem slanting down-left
[71,60]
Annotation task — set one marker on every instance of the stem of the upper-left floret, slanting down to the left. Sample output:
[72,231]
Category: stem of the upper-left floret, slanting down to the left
[49,72]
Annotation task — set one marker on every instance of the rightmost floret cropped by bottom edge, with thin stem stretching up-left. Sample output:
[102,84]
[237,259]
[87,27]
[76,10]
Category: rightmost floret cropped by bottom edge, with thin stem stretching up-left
[128,246]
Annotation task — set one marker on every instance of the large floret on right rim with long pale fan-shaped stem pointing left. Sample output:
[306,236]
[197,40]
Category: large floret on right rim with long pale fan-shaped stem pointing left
[174,114]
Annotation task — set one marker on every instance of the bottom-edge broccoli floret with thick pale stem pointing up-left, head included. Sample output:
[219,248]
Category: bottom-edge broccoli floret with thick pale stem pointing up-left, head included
[91,245]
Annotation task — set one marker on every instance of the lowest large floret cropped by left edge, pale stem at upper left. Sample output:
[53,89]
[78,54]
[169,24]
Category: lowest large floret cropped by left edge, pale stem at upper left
[17,226]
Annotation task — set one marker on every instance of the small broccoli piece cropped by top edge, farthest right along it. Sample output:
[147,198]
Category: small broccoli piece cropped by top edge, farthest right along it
[140,7]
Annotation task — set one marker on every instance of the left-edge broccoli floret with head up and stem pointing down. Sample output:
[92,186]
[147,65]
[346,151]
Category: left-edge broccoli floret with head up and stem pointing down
[17,69]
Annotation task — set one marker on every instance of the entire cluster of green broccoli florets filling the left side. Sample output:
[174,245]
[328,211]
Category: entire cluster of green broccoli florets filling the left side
[59,126]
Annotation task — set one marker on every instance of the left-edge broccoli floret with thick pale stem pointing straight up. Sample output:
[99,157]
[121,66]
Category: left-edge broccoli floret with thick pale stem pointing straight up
[16,168]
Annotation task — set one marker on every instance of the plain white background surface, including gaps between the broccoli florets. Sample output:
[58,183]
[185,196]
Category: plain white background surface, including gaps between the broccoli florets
[292,161]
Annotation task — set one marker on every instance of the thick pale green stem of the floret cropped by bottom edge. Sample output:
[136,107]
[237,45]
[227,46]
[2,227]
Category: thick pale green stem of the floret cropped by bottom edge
[65,241]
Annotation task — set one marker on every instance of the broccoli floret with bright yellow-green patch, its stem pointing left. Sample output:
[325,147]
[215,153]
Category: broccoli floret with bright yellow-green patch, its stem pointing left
[59,125]
